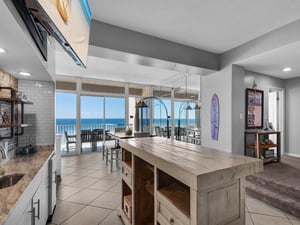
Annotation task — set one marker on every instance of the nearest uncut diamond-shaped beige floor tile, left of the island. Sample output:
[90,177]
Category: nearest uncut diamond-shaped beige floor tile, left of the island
[85,196]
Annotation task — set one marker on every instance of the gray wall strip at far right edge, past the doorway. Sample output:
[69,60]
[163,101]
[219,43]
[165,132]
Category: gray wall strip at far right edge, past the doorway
[292,93]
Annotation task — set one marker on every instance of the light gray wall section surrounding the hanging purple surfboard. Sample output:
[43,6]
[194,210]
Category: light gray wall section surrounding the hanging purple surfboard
[219,83]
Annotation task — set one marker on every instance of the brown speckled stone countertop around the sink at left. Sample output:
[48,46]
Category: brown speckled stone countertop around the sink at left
[27,165]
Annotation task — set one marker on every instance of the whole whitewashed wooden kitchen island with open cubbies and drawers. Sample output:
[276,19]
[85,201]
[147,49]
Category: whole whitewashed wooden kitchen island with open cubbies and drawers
[171,182]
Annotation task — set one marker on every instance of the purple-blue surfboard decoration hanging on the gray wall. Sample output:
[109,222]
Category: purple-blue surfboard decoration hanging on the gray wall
[214,117]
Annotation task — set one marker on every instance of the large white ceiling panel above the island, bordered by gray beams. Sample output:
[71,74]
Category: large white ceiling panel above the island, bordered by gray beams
[212,25]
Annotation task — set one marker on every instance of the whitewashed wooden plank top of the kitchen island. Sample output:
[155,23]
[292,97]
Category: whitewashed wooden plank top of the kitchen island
[198,167]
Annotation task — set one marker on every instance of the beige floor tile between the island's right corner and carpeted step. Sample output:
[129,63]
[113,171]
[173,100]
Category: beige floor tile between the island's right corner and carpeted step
[256,206]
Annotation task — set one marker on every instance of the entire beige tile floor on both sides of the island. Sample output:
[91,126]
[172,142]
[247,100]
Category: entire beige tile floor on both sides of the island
[89,194]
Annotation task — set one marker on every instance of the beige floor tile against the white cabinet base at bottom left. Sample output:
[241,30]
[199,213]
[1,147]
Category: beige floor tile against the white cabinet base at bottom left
[64,210]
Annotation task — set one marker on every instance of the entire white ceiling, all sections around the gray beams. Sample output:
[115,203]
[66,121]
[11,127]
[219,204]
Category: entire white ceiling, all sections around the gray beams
[211,25]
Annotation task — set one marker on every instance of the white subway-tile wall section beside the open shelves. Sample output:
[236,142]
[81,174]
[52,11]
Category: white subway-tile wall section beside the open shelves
[41,114]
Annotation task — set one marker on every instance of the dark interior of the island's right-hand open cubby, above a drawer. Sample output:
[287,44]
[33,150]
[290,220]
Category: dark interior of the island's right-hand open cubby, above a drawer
[179,195]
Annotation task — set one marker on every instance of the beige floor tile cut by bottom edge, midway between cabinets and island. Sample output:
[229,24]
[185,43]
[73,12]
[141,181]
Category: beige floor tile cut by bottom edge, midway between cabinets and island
[88,216]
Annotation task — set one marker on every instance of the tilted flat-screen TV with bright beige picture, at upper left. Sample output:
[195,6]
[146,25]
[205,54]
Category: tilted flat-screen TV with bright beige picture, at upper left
[68,21]
